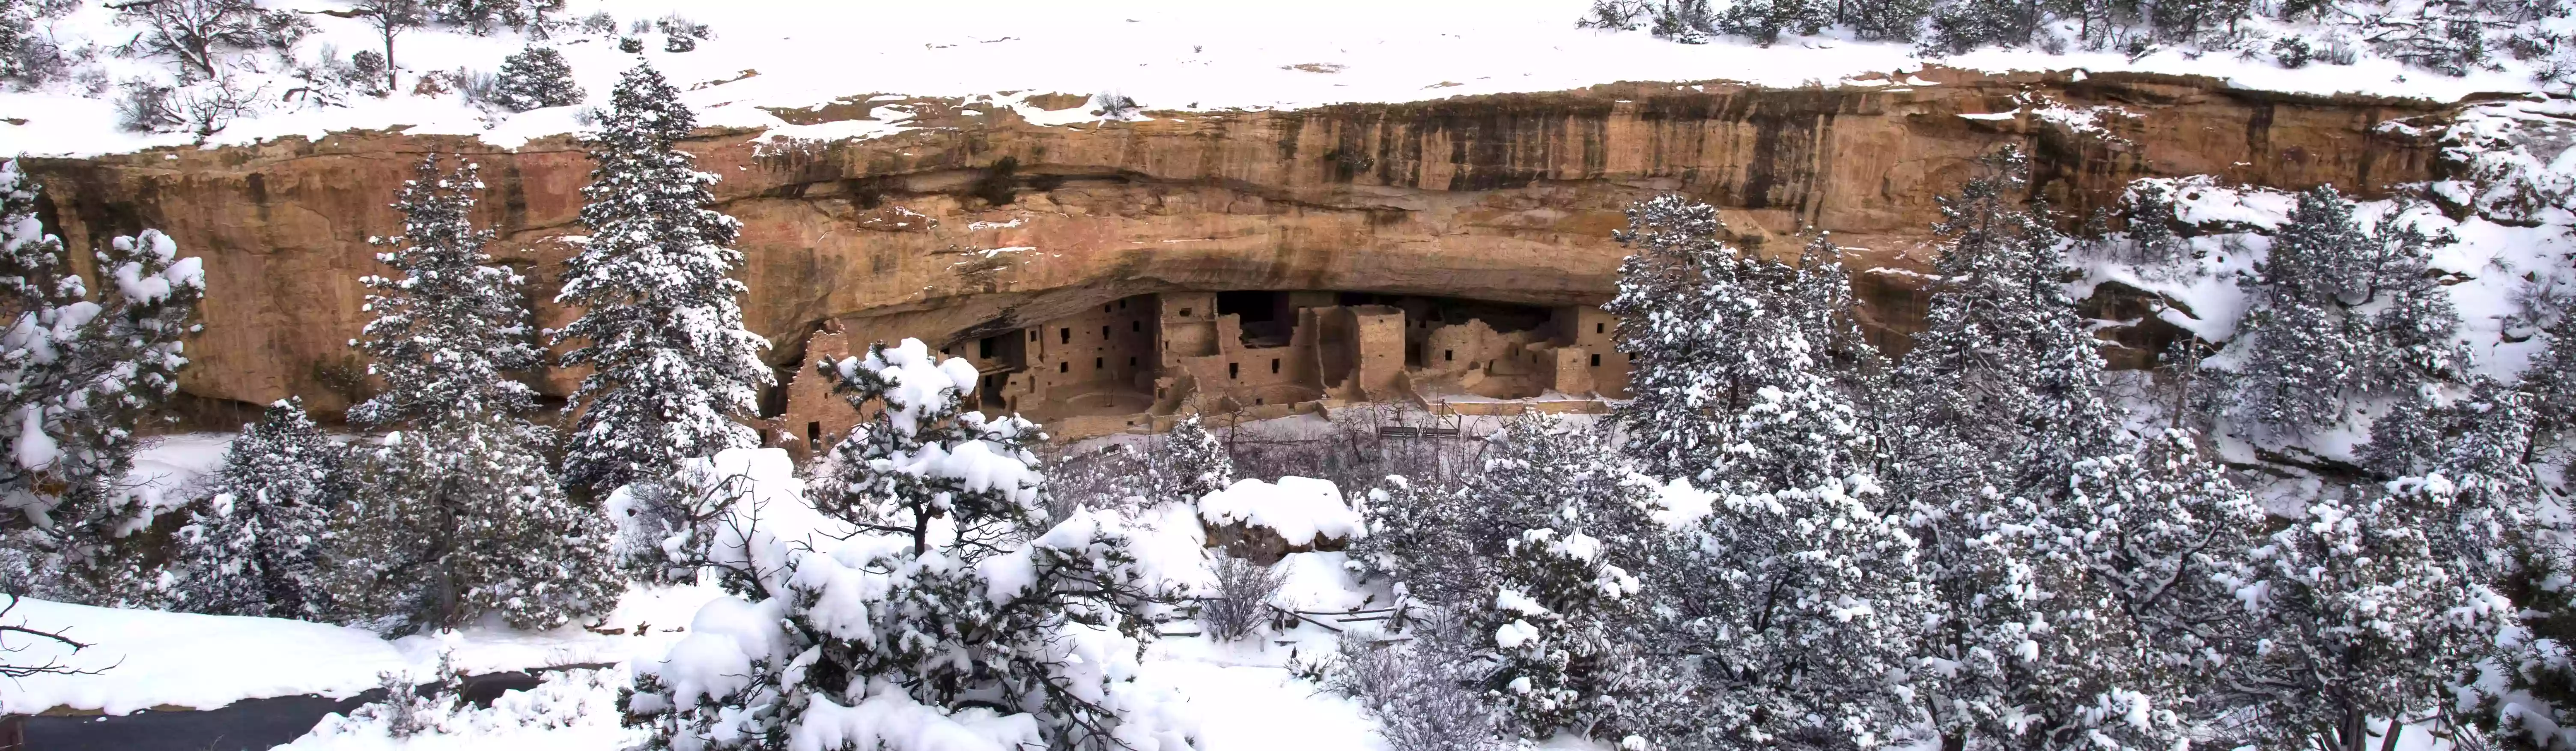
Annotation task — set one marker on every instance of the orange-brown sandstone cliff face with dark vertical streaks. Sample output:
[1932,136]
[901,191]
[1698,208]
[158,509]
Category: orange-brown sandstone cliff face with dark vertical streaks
[978,221]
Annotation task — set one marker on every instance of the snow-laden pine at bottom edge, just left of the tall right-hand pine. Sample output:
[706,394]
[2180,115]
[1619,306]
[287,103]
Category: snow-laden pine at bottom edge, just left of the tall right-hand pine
[1797,597]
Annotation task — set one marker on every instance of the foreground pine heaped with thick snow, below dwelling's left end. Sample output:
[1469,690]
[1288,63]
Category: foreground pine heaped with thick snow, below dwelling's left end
[947,618]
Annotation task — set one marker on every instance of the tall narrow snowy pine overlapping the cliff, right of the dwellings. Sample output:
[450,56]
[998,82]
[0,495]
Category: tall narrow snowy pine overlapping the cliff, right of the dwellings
[2000,404]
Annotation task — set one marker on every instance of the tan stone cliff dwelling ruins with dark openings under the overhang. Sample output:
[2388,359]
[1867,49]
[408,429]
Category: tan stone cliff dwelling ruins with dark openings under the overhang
[1150,360]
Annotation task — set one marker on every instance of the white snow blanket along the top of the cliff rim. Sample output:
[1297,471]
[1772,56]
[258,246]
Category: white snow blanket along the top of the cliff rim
[1166,55]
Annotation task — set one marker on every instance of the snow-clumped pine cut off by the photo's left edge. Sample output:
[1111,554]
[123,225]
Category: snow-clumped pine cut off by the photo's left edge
[76,381]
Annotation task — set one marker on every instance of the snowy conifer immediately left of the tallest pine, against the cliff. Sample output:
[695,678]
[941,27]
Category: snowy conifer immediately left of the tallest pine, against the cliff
[462,512]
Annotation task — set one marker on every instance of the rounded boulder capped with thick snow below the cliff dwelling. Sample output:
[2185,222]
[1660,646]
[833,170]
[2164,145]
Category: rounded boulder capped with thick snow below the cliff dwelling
[1269,520]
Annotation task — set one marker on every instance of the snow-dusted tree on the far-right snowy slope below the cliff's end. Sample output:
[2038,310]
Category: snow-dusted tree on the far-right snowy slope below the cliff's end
[2340,314]
